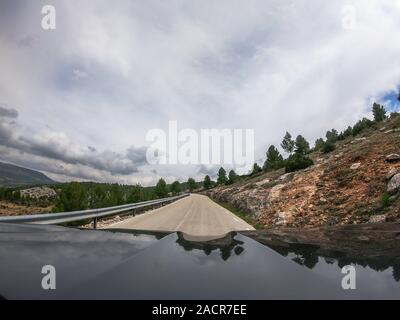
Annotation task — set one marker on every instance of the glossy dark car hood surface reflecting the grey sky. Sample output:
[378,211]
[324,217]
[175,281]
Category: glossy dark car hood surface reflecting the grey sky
[94,264]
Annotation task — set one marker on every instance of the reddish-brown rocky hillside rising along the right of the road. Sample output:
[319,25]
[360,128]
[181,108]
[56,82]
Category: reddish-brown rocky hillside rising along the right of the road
[358,182]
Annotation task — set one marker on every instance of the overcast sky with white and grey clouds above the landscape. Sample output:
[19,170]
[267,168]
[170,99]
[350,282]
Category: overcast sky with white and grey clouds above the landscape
[76,102]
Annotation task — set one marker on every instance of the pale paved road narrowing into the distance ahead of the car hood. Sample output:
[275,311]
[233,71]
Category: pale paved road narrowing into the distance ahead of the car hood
[195,215]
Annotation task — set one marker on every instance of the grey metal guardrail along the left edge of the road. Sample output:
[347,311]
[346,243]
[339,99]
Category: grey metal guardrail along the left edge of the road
[72,216]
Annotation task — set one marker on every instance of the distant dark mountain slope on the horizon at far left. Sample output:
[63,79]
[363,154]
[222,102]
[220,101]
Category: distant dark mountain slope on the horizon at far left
[11,176]
